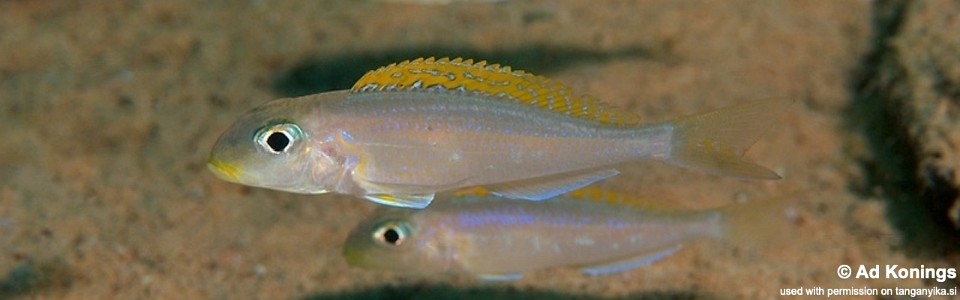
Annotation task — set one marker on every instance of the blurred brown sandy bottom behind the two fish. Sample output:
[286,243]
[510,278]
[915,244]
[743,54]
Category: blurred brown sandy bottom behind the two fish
[108,110]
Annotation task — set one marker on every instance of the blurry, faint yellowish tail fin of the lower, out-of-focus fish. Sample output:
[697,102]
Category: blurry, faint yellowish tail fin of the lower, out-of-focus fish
[760,224]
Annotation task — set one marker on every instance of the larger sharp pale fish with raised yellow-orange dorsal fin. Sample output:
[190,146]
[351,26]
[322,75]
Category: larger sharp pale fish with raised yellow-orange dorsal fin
[409,130]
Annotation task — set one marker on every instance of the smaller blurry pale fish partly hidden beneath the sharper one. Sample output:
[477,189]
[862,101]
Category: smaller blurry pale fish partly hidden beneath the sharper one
[494,238]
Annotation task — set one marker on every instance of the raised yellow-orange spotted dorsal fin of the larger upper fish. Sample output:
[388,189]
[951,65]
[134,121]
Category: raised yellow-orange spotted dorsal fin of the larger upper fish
[490,79]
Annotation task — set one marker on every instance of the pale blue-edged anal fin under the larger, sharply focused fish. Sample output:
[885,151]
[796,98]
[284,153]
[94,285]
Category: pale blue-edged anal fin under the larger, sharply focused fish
[542,188]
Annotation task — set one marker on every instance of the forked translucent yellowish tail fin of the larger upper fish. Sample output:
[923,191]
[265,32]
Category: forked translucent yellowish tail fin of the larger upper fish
[714,142]
